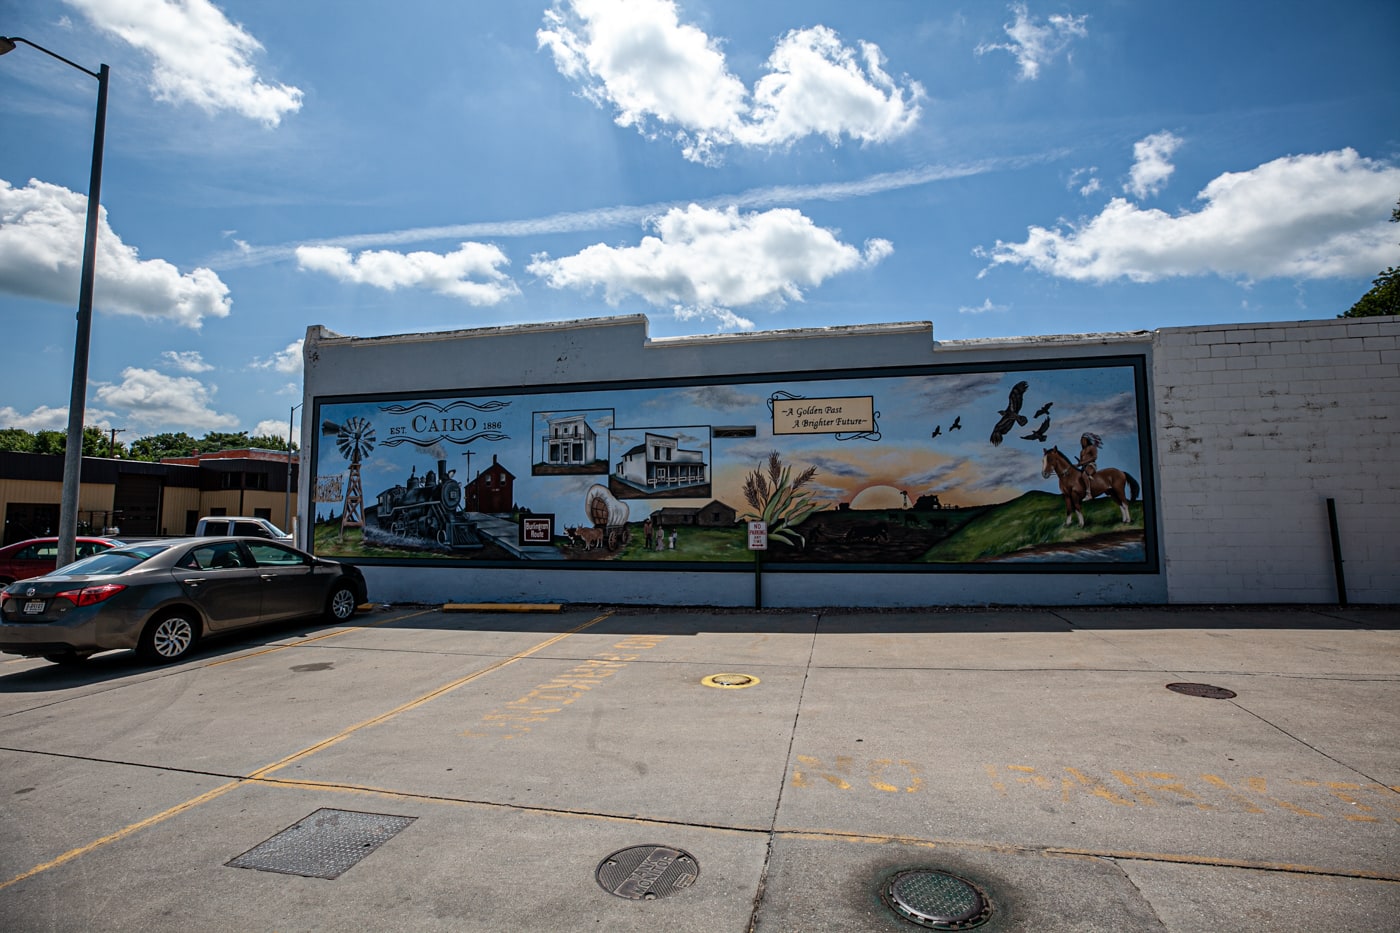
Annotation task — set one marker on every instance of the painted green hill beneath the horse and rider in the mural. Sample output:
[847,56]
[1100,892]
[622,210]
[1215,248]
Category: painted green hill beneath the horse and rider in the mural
[1032,520]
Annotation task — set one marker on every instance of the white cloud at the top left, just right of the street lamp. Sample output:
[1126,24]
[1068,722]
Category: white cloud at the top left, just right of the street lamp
[198,55]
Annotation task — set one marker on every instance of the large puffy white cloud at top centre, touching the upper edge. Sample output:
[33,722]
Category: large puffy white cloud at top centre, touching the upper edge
[638,57]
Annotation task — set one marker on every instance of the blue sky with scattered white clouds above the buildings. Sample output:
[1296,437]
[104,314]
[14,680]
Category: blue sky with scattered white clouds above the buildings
[997,170]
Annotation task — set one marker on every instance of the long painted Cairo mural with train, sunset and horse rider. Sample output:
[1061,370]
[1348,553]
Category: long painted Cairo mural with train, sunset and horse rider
[1031,469]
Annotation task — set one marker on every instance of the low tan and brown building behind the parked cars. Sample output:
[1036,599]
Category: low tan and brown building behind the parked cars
[146,499]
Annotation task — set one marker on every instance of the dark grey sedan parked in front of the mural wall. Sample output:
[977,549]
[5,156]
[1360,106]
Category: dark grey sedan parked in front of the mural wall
[160,597]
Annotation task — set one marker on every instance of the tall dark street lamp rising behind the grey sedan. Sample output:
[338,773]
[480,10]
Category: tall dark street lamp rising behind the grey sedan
[73,453]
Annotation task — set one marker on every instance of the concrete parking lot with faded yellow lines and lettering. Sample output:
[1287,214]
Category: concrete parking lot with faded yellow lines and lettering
[796,761]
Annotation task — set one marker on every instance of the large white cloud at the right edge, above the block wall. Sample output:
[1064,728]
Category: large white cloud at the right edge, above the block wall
[1301,216]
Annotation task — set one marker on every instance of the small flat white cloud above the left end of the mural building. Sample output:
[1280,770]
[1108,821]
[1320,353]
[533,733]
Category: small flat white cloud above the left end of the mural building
[457,275]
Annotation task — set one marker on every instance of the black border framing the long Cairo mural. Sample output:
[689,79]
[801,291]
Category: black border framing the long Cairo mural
[1137,362]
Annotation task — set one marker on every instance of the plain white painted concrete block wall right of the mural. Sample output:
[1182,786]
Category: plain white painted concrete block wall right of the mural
[1256,428]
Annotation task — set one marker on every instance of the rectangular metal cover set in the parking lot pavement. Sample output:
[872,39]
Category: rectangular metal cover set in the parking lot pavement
[324,845]
